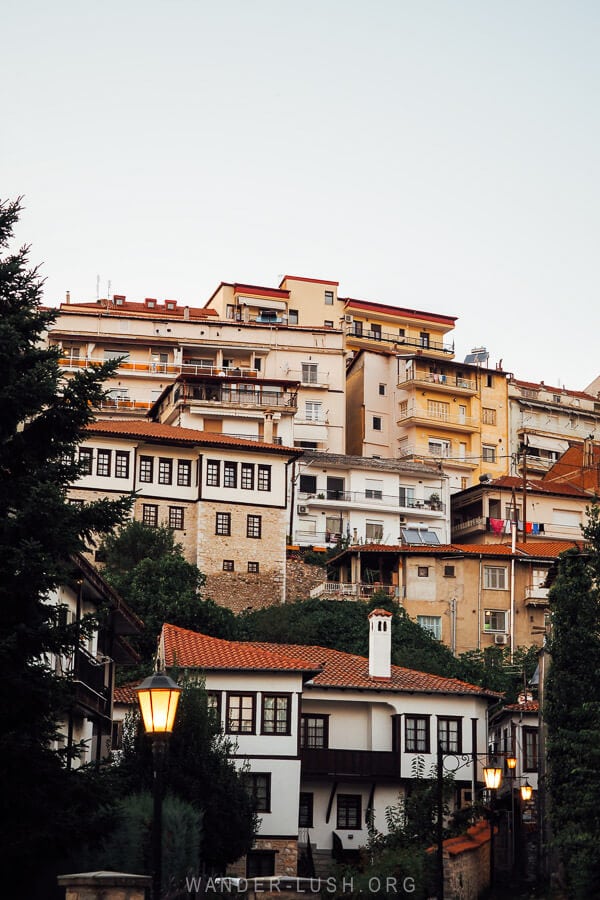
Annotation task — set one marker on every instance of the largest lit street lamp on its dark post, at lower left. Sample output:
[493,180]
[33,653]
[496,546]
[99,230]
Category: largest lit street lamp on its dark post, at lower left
[158,696]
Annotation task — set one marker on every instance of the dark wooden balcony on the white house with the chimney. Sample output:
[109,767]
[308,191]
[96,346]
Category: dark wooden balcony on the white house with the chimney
[357,765]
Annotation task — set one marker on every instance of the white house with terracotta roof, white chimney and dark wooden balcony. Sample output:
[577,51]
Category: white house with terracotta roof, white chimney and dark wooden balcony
[327,739]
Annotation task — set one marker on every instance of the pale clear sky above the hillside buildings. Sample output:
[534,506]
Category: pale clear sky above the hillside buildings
[439,155]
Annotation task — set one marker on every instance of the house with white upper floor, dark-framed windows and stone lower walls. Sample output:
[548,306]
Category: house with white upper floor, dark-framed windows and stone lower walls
[225,499]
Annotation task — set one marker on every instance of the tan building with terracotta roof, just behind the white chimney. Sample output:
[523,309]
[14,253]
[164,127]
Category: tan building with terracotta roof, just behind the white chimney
[469,596]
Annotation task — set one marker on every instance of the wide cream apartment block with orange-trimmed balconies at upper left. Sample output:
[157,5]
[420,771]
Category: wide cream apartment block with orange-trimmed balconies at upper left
[236,371]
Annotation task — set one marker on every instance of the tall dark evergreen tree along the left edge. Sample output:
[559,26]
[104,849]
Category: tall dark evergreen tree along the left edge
[42,421]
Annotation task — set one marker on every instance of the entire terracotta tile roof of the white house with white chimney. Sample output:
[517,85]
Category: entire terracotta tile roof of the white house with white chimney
[330,668]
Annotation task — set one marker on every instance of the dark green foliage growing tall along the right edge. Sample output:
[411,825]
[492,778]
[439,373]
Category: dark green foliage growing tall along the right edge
[572,712]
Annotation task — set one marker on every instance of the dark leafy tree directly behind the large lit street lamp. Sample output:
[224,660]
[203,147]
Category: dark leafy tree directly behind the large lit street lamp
[199,769]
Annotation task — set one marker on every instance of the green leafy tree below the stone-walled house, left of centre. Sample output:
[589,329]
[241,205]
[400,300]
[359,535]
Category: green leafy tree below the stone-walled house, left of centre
[146,566]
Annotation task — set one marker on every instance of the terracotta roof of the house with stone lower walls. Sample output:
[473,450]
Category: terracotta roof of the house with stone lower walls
[154,431]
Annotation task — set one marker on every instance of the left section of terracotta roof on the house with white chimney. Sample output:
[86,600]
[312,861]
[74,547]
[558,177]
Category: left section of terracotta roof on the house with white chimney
[190,649]
